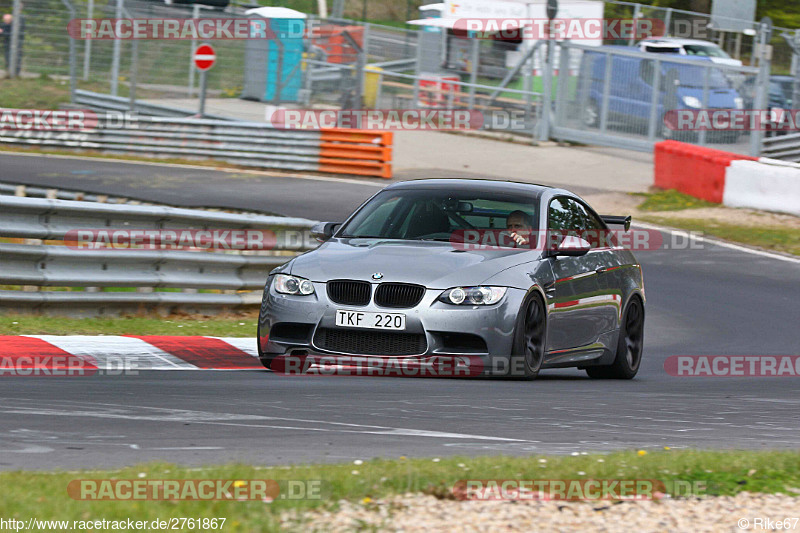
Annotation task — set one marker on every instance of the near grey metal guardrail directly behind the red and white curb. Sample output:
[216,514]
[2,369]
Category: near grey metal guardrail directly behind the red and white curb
[38,265]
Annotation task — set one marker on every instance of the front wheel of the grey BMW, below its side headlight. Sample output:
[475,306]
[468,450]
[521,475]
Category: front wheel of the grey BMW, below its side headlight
[530,333]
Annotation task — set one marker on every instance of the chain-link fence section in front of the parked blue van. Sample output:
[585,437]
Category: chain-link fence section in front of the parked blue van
[622,97]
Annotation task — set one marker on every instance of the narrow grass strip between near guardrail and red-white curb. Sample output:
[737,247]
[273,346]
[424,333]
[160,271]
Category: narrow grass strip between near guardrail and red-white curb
[230,325]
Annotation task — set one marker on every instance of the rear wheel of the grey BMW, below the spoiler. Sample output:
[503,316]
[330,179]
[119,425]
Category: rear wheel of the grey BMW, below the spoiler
[629,347]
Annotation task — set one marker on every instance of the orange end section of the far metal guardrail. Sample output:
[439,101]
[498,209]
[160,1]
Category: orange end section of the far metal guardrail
[359,152]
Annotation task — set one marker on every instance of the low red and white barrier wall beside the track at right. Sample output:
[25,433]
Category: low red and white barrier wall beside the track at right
[730,179]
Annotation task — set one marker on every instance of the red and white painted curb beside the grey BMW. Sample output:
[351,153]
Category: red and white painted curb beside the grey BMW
[144,352]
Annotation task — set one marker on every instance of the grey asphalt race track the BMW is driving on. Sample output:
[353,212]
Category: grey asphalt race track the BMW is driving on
[711,301]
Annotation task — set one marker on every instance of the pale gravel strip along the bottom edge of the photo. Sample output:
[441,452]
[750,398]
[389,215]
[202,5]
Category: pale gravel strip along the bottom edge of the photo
[418,512]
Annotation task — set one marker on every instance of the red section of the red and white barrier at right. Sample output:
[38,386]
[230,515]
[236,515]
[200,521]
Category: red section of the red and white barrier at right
[693,170]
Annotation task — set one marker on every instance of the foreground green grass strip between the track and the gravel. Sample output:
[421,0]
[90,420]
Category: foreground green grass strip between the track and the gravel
[43,495]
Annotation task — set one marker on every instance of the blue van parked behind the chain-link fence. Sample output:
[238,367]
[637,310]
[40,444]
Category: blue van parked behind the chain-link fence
[631,89]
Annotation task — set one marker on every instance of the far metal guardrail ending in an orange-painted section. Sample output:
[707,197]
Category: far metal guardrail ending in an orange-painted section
[255,144]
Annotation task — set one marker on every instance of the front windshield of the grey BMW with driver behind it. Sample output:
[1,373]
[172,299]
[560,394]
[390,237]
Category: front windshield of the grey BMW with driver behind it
[434,215]
